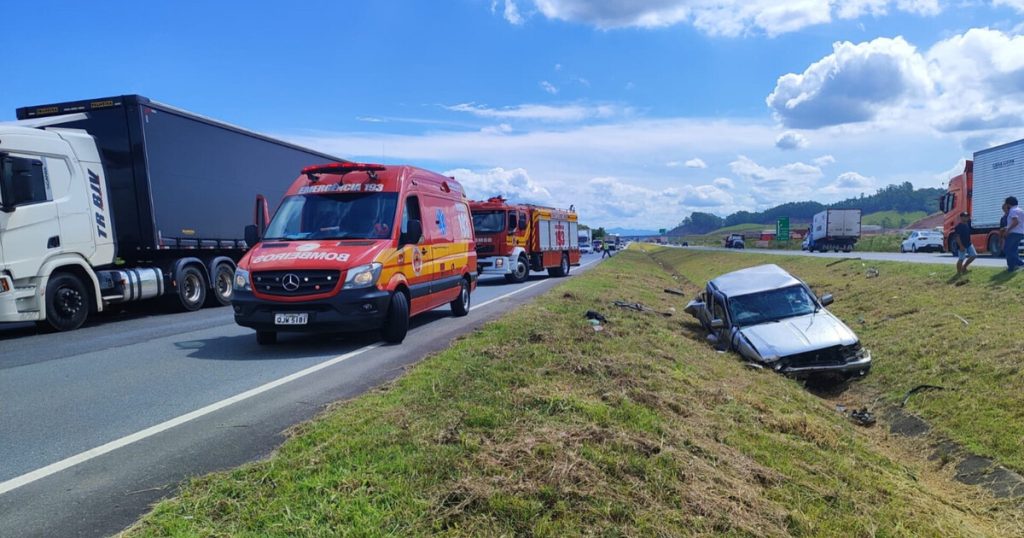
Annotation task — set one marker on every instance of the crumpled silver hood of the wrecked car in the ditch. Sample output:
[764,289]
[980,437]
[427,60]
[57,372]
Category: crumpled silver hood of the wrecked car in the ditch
[800,335]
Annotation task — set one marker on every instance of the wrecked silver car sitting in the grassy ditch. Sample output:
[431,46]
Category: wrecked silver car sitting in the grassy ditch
[774,319]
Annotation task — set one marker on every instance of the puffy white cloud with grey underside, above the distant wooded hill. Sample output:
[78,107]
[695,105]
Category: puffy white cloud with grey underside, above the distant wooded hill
[852,85]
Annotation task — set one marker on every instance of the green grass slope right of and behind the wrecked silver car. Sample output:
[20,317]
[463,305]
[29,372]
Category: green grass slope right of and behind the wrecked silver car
[910,317]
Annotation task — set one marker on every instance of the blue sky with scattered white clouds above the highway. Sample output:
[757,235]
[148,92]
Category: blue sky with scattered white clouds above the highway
[638,112]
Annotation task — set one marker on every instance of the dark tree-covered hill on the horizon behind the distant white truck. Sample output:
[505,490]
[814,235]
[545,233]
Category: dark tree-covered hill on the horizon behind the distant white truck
[904,198]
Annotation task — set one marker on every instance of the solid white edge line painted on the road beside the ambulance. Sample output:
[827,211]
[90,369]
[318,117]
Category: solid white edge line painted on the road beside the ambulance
[82,458]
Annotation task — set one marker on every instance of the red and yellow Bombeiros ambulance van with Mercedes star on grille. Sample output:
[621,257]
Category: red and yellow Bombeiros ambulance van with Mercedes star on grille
[357,247]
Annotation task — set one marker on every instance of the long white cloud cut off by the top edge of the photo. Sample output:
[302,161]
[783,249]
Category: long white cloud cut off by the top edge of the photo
[724,18]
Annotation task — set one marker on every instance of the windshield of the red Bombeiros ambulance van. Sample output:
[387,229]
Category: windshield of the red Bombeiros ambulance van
[349,216]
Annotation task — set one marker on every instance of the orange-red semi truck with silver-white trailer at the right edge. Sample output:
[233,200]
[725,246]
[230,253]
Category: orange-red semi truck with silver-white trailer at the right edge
[980,189]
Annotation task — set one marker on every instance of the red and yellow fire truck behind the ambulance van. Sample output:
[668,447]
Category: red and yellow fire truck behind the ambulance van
[515,239]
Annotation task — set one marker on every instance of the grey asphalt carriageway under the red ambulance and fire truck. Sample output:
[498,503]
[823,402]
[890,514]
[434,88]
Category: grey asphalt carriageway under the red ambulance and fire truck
[99,424]
